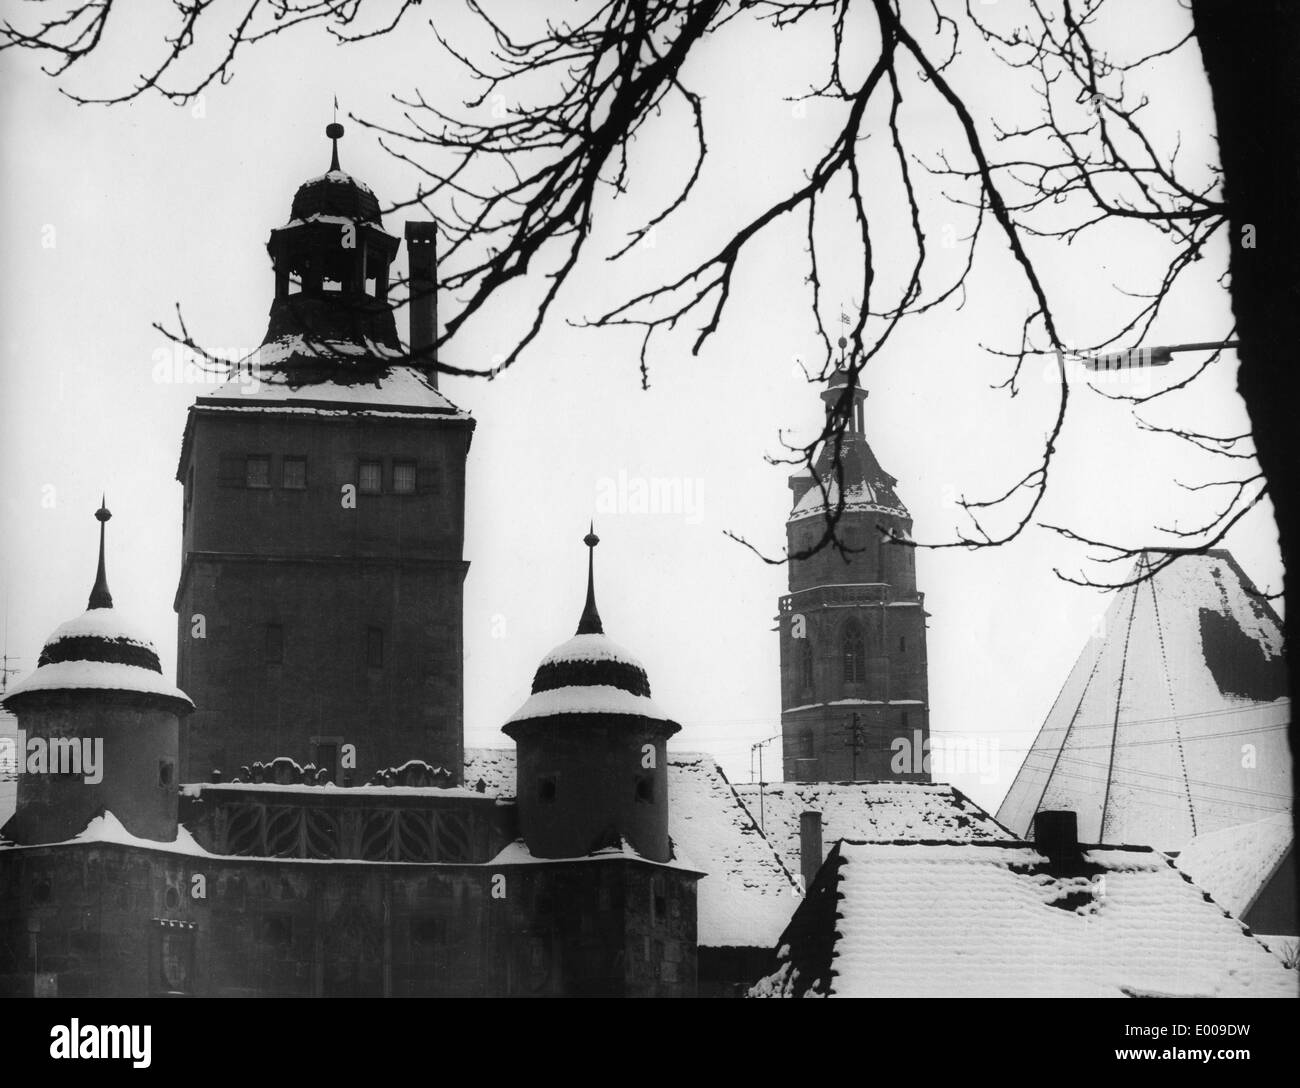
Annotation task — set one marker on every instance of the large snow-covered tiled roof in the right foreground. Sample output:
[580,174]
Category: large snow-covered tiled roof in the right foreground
[993,921]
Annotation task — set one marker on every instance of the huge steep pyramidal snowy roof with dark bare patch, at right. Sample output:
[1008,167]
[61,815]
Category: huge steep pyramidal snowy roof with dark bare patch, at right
[1173,722]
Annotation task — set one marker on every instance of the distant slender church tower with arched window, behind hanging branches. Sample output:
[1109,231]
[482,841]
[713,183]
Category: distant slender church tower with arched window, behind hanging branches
[855,693]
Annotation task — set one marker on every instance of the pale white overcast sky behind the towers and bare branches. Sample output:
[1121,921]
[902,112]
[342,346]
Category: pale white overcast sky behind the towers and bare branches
[149,205]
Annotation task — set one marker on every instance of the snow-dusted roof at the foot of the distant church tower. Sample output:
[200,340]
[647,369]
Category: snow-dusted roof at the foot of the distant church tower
[870,812]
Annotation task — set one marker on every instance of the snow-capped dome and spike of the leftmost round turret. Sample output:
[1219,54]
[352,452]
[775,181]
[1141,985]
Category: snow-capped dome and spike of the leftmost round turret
[99,652]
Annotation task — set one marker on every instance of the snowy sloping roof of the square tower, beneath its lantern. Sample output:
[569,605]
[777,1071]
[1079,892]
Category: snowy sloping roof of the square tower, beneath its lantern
[393,391]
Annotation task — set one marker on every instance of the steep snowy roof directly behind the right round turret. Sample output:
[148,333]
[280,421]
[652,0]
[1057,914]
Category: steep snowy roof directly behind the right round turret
[748,896]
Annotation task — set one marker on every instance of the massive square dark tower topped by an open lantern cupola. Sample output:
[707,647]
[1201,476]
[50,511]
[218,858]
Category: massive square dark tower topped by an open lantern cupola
[319,612]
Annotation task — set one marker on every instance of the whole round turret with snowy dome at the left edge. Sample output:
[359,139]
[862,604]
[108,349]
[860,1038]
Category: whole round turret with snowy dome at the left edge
[103,727]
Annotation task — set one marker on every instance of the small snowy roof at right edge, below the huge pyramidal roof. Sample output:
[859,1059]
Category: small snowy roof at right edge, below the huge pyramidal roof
[1237,864]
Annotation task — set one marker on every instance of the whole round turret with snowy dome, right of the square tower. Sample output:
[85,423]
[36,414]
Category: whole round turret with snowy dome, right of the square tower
[592,748]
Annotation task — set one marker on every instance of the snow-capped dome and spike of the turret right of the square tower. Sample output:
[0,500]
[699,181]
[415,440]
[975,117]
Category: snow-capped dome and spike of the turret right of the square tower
[591,674]
